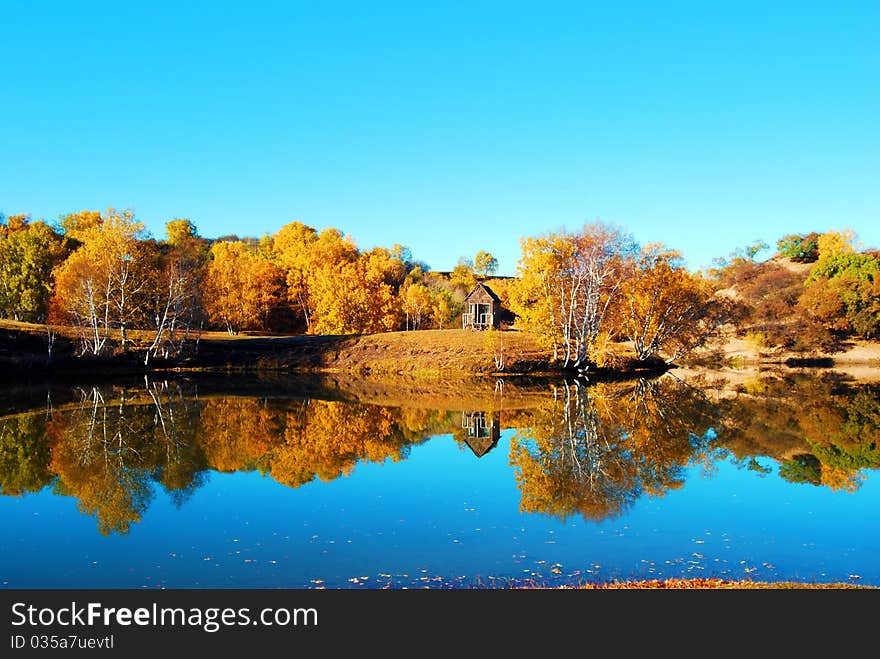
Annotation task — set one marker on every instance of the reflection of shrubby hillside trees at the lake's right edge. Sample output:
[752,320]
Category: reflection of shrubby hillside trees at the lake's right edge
[822,430]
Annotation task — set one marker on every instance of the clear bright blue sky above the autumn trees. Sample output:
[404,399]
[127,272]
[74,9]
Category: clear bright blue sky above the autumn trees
[449,127]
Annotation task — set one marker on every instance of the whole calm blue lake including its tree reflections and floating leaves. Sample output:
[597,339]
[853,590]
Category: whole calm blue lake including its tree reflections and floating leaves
[301,484]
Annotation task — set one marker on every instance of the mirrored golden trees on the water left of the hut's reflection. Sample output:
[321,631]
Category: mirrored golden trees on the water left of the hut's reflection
[111,448]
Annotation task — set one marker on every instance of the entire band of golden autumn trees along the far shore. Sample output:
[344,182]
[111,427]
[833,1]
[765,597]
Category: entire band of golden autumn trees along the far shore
[580,292]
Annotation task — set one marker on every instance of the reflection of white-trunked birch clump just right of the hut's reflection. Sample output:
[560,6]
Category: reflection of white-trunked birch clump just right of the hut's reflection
[595,450]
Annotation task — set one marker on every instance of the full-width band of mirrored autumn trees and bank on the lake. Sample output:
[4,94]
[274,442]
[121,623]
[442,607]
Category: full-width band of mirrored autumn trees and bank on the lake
[577,450]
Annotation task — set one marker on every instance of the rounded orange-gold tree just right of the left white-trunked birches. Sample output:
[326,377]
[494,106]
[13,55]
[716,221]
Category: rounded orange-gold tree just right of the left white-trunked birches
[241,287]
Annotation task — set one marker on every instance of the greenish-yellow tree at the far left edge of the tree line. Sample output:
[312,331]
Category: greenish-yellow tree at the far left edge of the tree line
[29,253]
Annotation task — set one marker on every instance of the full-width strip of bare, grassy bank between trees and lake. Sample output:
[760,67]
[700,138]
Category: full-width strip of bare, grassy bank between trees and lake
[425,355]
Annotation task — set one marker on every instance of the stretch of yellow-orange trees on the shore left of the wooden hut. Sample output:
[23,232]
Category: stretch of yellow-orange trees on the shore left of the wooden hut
[102,273]
